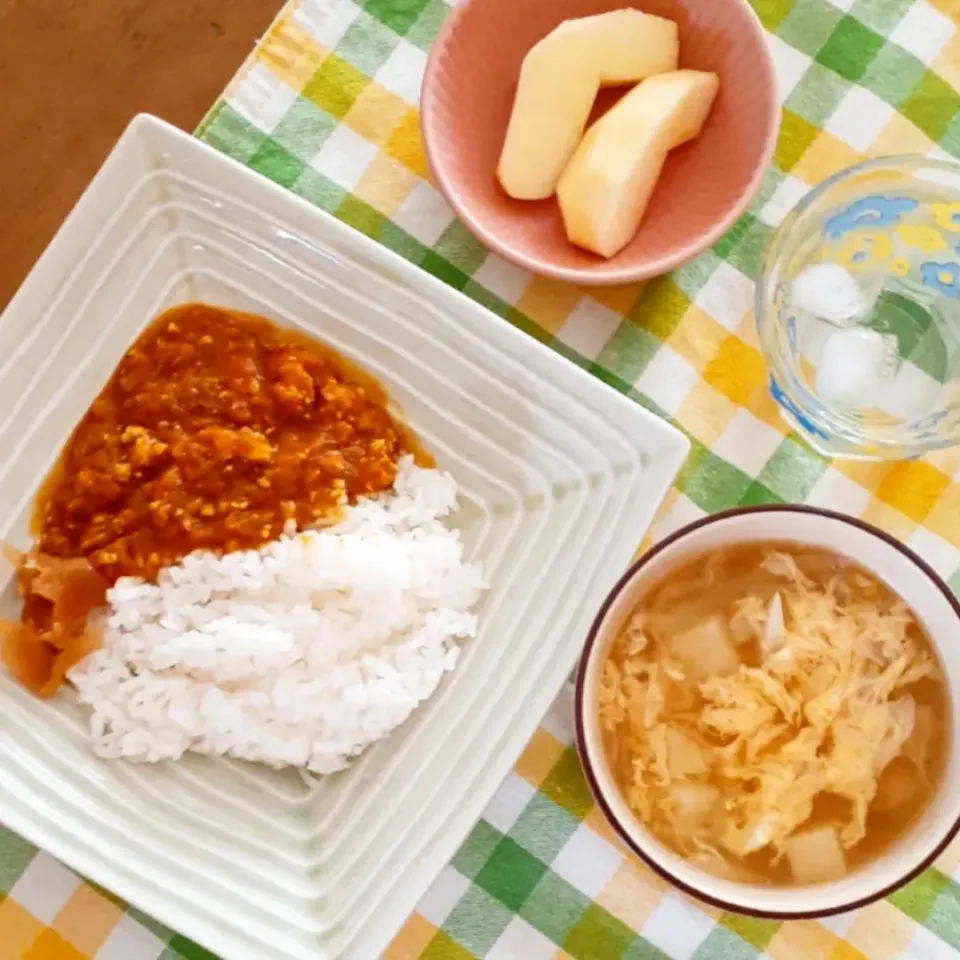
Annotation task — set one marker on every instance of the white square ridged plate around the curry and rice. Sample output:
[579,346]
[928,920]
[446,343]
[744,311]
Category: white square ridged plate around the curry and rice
[559,478]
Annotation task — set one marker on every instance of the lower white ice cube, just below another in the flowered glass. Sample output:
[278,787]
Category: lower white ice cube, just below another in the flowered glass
[854,365]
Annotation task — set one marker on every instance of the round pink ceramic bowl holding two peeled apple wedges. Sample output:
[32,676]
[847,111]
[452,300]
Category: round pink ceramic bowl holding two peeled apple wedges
[468,91]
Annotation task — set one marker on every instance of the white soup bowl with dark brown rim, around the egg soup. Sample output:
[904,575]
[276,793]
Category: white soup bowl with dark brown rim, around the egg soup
[934,606]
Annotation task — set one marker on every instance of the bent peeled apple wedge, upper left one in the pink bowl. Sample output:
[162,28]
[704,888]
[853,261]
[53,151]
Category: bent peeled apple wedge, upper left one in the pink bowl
[559,79]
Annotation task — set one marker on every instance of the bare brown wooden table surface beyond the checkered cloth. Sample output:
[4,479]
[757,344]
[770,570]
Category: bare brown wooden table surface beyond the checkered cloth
[73,72]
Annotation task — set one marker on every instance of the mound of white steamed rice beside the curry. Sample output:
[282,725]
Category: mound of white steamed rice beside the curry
[301,653]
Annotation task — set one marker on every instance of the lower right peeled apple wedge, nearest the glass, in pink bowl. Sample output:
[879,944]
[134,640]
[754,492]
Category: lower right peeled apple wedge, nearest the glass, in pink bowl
[606,187]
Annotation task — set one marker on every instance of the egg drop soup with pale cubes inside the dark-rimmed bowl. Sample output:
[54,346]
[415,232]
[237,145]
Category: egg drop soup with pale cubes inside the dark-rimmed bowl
[775,714]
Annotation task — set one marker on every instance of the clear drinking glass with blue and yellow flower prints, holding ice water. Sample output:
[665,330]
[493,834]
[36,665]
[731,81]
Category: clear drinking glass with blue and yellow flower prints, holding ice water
[858,310]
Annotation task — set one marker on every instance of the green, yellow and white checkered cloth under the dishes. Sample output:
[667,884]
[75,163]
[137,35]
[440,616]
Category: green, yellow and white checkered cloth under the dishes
[327,107]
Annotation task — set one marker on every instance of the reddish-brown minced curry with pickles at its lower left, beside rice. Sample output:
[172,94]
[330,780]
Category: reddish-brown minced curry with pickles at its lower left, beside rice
[216,430]
